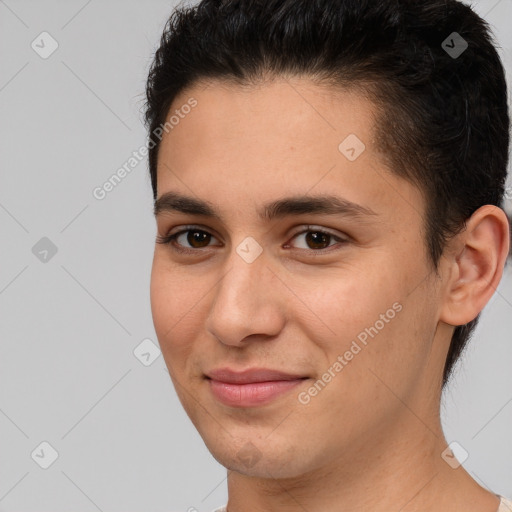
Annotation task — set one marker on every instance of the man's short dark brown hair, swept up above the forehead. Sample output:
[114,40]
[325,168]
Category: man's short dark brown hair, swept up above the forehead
[443,113]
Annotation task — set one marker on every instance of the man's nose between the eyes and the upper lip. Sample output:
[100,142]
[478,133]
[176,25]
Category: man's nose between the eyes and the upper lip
[248,301]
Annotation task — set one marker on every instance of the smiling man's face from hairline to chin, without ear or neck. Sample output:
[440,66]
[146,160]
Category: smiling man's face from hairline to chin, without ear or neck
[343,303]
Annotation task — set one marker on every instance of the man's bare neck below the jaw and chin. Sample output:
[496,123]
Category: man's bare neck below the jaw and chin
[400,468]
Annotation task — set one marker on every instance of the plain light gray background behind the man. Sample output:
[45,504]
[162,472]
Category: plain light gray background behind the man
[69,325]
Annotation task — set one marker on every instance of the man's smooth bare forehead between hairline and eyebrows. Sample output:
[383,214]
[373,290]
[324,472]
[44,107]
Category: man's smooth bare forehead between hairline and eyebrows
[255,142]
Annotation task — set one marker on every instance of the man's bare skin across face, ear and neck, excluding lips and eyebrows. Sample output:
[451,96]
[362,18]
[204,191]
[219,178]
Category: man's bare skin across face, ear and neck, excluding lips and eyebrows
[371,439]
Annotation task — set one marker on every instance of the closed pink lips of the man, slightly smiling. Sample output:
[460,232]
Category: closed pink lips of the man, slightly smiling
[252,387]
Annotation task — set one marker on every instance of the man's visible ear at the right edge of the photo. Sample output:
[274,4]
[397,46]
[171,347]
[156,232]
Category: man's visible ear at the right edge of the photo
[475,262]
